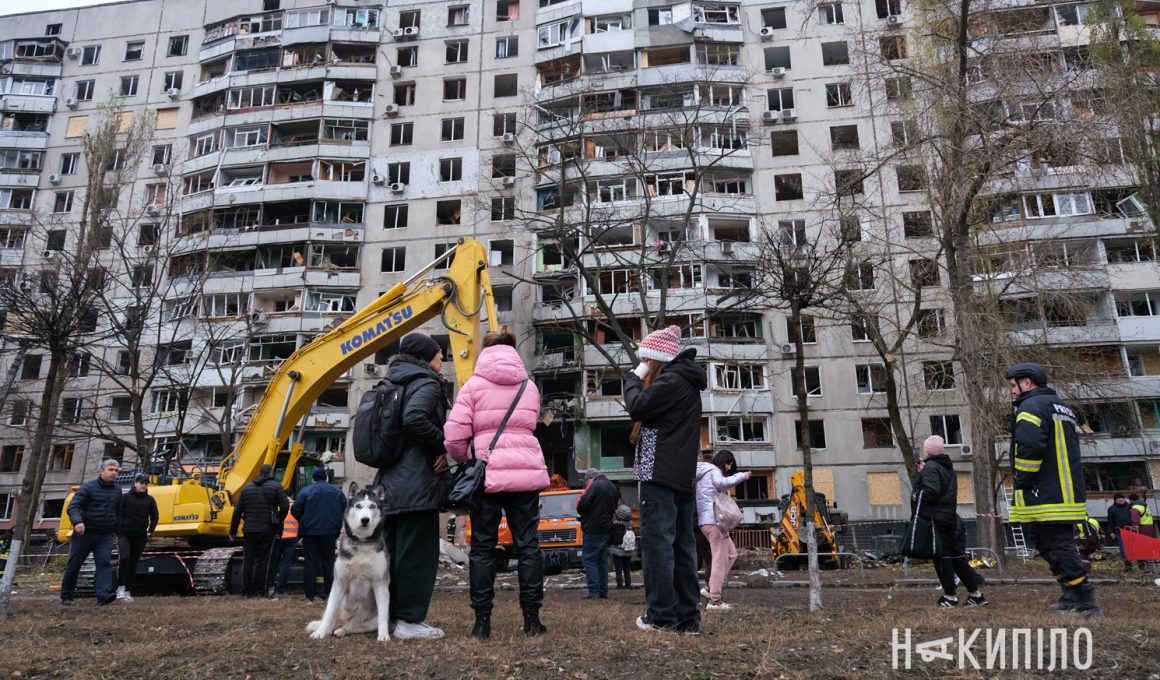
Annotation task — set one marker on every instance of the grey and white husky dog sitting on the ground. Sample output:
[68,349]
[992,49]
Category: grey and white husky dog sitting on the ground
[362,573]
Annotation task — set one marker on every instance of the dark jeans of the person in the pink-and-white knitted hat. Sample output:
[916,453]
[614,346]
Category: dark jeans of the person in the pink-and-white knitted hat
[669,555]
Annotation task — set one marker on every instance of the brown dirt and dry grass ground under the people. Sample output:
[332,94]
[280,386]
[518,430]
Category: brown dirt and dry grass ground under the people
[770,634]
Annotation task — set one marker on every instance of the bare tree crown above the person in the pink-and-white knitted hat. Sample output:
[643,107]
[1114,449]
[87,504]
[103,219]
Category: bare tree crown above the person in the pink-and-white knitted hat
[623,177]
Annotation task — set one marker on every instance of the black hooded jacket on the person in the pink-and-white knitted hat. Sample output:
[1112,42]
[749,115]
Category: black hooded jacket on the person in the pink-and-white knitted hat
[670,415]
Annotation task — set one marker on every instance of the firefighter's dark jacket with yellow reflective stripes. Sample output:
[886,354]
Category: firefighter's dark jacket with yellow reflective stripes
[1046,452]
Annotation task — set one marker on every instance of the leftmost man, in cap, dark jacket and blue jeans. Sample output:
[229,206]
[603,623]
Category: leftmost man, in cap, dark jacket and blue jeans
[96,515]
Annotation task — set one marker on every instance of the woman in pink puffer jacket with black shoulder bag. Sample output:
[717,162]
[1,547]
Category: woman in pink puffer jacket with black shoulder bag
[516,475]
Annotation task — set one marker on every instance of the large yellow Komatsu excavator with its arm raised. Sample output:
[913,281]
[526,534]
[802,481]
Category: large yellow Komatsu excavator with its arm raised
[199,510]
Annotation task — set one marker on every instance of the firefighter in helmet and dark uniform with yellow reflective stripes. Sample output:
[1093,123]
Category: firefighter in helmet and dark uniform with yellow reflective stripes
[1049,483]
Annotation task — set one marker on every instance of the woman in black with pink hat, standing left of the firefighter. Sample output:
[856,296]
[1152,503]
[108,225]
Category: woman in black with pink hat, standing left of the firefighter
[937,497]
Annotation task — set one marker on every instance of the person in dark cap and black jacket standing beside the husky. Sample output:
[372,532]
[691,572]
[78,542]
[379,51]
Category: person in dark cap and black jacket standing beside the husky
[415,486]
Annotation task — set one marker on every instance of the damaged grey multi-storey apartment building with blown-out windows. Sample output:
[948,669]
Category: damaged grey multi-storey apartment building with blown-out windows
[614,155]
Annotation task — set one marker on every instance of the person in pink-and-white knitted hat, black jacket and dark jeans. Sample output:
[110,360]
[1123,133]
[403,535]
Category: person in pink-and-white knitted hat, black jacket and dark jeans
[664,396]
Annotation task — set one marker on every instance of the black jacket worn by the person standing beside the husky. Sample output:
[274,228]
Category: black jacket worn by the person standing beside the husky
[412,484]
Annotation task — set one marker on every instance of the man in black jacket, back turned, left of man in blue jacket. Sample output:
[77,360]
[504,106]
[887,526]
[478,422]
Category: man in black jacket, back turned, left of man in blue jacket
[259,504]
